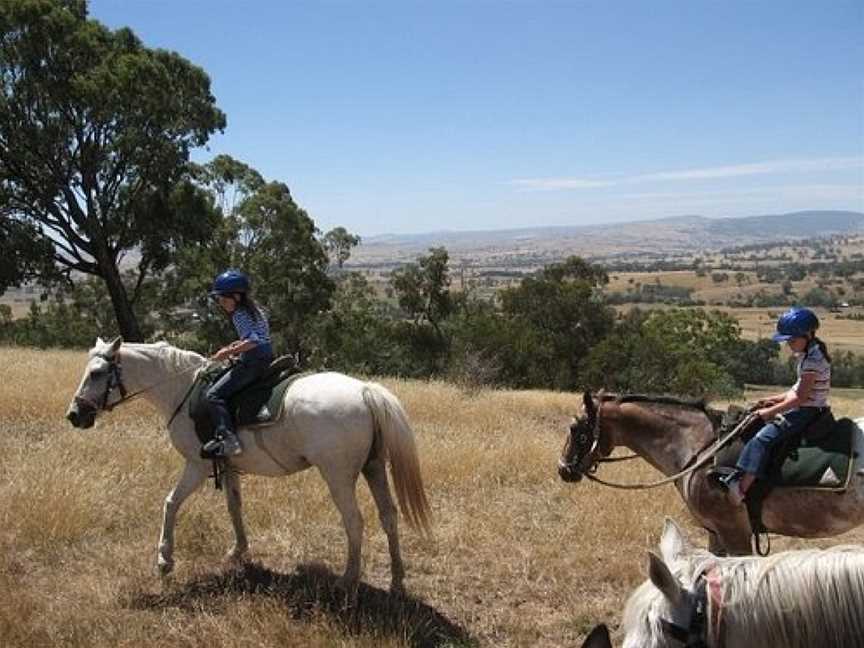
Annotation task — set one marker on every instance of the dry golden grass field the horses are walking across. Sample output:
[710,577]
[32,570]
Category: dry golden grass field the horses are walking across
[518,557]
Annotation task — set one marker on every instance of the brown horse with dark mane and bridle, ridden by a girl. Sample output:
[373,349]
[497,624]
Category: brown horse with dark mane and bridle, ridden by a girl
[673,435]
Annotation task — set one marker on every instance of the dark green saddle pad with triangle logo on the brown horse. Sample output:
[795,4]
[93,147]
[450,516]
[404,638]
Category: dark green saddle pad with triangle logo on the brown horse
[823,464]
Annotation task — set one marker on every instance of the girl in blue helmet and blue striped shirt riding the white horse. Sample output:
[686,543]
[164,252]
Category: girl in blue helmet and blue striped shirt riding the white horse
[254,352]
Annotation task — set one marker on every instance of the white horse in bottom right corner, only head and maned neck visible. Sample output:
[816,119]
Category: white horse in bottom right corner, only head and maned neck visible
[796,599]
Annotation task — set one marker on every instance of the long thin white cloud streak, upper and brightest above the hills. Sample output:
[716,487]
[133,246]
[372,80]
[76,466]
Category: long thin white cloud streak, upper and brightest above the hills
[775,167]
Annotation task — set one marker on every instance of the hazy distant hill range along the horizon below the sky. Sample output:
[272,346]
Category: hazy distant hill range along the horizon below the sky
[540,245]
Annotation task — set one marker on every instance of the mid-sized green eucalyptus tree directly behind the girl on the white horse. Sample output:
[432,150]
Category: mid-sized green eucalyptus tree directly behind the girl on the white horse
[262,231]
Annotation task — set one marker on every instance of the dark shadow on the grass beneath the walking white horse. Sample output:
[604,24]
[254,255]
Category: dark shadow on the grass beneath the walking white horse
[312,591]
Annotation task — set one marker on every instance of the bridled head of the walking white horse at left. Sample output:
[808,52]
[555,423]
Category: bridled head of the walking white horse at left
[101,377]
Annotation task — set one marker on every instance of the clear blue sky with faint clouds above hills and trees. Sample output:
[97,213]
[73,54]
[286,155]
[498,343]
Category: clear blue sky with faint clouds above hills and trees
[409,116]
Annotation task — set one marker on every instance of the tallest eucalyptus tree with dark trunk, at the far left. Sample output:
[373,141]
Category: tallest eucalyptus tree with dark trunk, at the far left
[95,135]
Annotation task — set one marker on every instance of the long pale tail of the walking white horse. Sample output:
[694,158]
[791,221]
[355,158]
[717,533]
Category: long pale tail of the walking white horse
[393,429]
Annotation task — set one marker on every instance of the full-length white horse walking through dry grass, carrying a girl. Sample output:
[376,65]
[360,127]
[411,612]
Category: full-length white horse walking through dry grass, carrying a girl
[340,425]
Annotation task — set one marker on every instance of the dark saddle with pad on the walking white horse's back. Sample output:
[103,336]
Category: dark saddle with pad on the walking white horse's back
[259,403]
